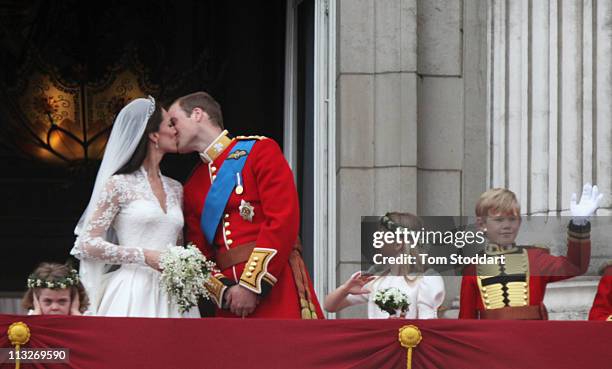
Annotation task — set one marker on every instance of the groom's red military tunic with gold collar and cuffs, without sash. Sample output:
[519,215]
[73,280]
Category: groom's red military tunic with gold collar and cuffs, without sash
[270,219]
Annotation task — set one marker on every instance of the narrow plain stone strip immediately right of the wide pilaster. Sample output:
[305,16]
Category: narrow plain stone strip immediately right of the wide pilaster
[440,103]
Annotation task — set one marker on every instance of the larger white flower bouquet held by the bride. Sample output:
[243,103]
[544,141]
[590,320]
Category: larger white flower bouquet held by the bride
[184,272]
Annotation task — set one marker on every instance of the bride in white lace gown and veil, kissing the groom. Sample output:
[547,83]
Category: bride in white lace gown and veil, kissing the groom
[133,215]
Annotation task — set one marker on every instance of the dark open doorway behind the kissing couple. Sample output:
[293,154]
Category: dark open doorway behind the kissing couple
[233,49]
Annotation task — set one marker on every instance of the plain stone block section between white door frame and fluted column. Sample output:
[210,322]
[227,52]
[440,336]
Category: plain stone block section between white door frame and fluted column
[411,114]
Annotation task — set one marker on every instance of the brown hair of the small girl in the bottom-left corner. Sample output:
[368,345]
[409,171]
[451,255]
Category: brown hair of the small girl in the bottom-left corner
[57,274]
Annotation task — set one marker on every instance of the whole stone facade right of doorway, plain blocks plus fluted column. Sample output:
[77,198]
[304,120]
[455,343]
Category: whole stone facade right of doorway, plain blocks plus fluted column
[440,100]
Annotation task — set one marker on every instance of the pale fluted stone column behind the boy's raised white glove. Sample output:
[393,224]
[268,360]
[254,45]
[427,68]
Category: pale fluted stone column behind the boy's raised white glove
[550,107]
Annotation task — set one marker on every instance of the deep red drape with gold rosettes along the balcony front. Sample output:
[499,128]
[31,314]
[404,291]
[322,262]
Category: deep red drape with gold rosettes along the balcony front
[96,342]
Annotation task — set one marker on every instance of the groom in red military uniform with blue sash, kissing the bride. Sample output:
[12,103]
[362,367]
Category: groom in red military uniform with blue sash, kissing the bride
[241,209]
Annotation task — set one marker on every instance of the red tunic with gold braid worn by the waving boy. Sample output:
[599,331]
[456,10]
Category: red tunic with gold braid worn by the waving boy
[482,292]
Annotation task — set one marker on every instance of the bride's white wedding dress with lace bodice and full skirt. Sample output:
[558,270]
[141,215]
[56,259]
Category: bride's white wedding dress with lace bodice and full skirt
[128,208]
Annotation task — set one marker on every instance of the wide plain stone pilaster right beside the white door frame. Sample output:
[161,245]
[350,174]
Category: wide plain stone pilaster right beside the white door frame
[376,123]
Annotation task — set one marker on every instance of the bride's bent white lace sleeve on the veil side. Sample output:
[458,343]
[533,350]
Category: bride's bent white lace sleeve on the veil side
[91,245]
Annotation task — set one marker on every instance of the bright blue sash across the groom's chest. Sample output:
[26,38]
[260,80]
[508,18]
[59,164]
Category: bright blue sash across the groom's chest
[222,188]
